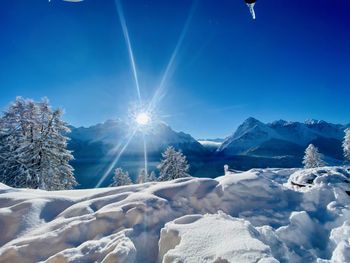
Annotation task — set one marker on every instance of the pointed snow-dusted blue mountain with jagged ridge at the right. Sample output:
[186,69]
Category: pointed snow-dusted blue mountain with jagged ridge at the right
[284,139]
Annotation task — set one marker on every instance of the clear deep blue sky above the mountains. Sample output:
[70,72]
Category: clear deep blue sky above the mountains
[292,63]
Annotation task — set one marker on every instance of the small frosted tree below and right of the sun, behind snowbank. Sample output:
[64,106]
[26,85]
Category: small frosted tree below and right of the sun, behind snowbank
[174,165]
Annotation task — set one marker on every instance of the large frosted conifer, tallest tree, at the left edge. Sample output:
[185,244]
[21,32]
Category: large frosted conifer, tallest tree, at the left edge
[33,147]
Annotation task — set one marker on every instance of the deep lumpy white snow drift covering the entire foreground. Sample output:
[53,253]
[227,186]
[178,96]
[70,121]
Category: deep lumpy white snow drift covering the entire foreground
[263,215]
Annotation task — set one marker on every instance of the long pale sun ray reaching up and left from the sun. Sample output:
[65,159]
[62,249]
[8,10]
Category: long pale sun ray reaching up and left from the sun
[129,46]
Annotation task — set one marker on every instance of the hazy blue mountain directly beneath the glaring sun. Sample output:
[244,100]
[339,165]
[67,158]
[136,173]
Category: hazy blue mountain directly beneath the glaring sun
[94,148]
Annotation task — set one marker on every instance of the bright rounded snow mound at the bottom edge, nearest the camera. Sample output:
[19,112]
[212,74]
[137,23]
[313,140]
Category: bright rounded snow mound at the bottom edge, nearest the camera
[200,239]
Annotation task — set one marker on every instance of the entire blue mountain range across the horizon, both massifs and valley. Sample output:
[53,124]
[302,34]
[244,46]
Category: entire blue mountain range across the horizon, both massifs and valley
[254,144]
